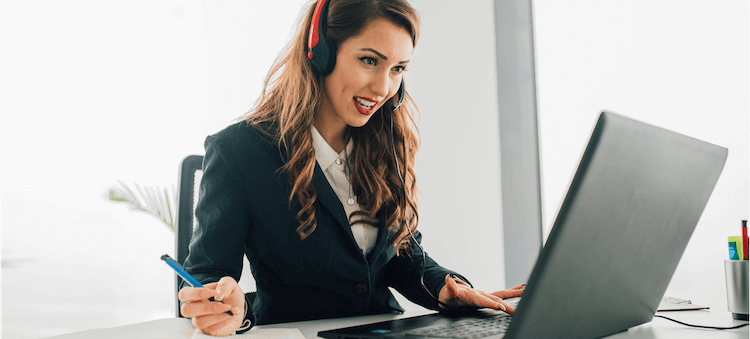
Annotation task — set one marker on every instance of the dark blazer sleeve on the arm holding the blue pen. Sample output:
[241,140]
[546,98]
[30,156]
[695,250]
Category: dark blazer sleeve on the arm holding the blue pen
[218,242]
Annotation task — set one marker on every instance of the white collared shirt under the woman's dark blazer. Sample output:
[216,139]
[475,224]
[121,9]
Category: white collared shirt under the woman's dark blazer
[334,167]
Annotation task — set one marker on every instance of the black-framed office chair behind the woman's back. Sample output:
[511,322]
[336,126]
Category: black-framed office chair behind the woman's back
[188,180]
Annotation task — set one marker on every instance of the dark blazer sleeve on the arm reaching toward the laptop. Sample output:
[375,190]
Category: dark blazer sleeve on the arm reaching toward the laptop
[404,273]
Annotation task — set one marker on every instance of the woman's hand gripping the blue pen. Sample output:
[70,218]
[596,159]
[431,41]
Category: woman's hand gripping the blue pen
[210,316]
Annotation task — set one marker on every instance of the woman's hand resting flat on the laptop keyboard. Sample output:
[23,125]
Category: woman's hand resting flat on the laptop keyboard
[457,293]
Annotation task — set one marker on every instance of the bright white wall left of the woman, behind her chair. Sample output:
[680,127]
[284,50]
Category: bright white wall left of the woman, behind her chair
[93,92]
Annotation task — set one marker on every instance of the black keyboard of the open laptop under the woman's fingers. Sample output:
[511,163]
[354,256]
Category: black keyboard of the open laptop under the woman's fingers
[465,328]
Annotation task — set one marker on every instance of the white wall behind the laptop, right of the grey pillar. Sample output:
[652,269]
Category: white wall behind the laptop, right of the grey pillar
[681,65]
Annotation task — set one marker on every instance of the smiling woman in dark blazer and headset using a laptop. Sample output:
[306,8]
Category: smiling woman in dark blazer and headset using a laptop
[316,185]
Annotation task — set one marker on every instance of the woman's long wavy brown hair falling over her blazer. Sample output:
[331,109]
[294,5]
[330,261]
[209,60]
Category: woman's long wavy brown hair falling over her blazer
[291,97]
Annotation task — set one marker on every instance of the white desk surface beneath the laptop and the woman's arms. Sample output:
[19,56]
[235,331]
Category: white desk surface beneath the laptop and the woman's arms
[656,329]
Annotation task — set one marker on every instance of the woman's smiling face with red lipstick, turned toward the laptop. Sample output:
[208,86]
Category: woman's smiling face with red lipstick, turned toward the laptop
[368,72]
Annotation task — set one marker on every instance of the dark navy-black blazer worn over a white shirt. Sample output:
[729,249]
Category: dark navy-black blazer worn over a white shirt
[243,208]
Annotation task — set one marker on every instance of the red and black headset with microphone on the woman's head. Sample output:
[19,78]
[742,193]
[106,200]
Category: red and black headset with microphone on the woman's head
[321,49]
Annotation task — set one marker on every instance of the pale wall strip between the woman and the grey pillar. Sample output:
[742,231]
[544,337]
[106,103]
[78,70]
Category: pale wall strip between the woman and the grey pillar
[453,80]
